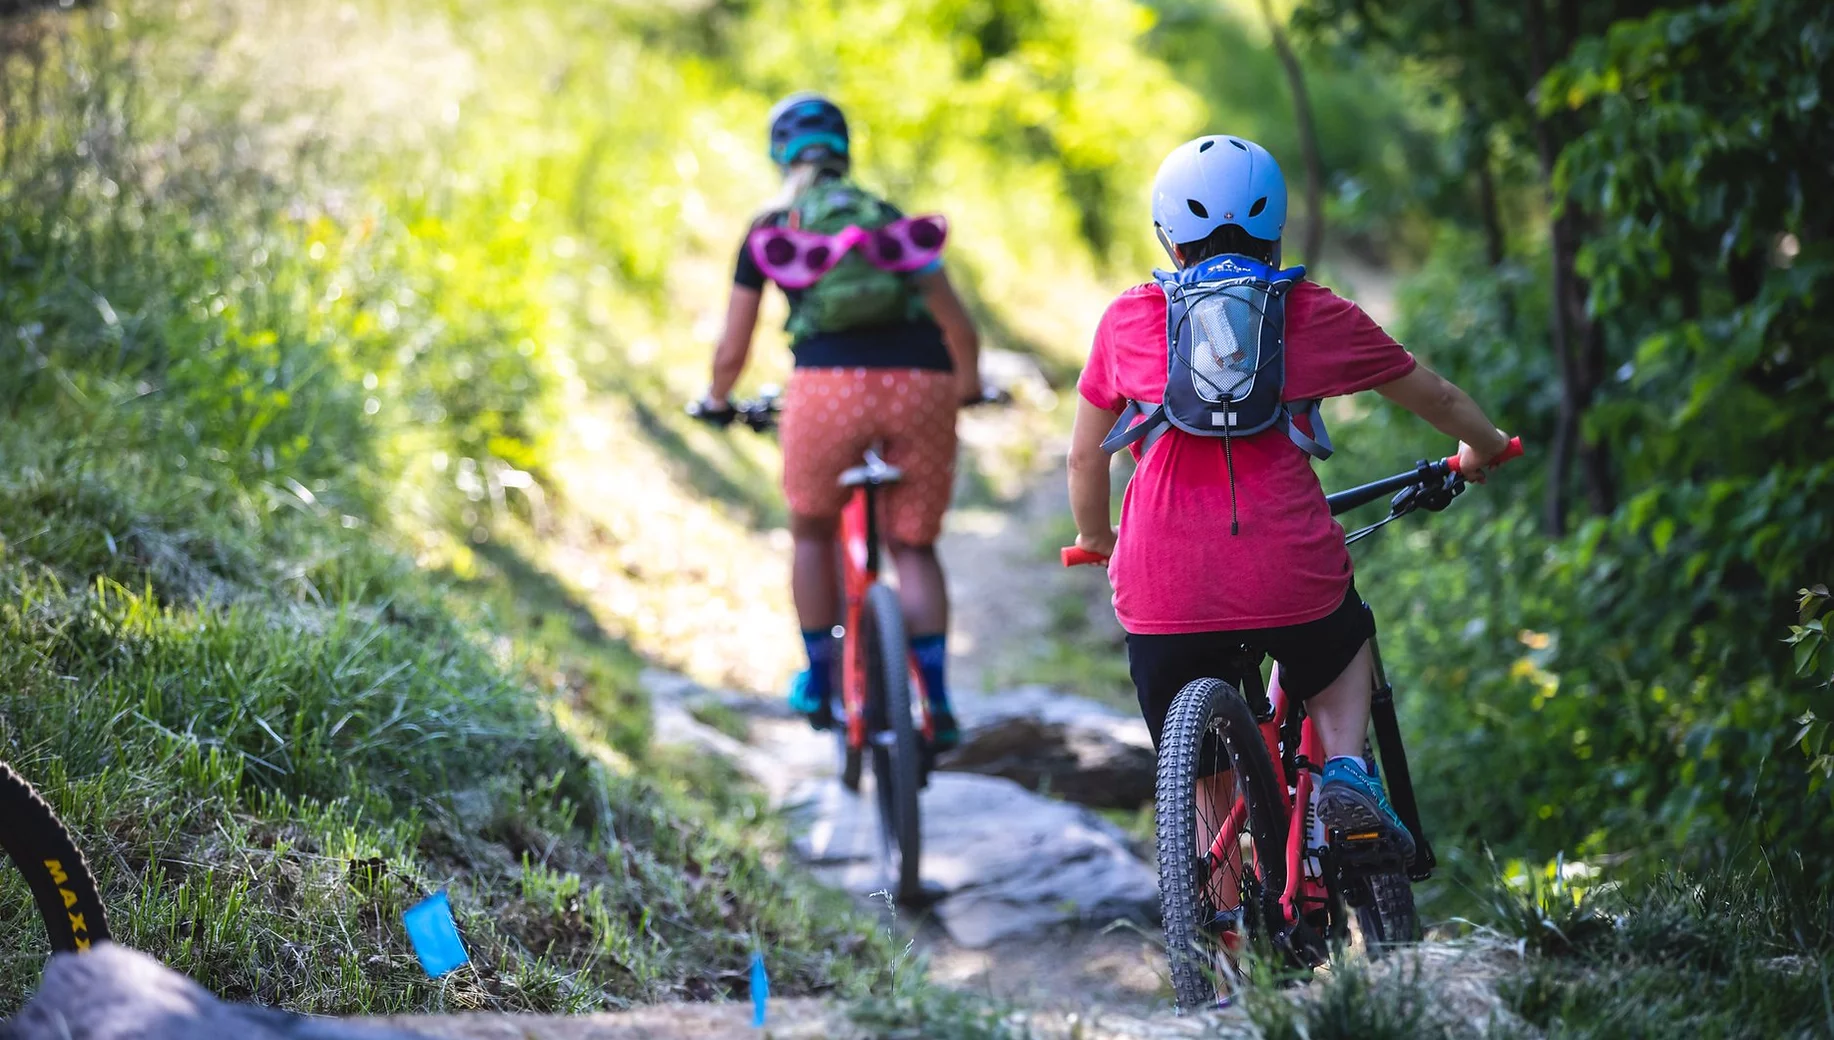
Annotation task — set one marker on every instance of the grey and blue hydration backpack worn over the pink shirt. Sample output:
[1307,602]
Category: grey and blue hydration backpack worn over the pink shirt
[1226,359]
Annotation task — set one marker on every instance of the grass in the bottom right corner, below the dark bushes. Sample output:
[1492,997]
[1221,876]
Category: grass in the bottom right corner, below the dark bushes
[1725,955]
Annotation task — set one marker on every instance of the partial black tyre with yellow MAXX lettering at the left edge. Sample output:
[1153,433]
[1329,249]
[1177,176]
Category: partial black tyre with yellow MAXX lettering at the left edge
[56,872]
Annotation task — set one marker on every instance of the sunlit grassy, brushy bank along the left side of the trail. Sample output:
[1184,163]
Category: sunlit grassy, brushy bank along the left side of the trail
[238,381]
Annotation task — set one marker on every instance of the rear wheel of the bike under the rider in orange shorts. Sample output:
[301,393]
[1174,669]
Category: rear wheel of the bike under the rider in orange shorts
[894,736]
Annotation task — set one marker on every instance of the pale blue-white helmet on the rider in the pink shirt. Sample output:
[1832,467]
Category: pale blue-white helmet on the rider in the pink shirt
[1217,181]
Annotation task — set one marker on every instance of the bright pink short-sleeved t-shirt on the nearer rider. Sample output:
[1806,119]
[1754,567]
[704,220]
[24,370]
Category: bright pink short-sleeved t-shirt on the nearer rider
[1177,568]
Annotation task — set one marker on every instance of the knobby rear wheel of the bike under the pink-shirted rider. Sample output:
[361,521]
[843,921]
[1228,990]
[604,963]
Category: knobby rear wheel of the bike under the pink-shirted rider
[1211,729]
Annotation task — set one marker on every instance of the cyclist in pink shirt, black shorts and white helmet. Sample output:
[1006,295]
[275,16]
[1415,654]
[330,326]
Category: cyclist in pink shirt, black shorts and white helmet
[1230,544]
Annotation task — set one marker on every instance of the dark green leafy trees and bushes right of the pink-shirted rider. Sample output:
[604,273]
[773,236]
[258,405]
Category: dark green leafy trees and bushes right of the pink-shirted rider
[1626,678]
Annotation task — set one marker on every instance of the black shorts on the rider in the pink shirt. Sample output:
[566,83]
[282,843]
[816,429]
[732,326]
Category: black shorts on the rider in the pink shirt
[1310,658]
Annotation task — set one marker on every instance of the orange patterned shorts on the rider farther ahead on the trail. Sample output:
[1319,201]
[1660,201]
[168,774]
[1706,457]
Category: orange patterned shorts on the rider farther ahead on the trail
[834,415]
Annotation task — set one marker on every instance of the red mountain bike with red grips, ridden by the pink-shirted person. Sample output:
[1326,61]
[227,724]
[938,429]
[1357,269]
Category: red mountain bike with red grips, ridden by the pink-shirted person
[1298,891]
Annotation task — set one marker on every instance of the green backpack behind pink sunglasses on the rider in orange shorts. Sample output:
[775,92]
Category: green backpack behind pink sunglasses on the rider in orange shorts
[856,293]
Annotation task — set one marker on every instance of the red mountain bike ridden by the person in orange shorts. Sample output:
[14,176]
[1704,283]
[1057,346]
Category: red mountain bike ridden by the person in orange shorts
[885,707]
